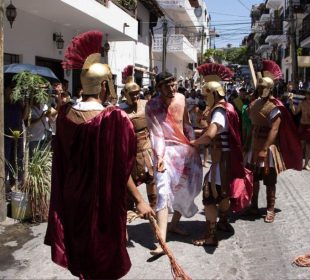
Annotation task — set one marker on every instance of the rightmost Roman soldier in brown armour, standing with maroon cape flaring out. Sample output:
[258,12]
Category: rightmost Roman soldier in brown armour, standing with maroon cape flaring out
[268,158]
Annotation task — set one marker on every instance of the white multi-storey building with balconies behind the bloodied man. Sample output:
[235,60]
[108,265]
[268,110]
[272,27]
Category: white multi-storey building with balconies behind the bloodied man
[187,24]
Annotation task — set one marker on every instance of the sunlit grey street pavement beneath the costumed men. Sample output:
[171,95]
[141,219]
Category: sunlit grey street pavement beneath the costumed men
[255,251]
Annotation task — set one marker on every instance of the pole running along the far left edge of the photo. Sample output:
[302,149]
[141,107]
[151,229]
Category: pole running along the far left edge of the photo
[2,161]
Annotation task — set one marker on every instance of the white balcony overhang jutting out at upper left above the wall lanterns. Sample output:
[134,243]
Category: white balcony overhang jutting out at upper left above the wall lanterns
[84,15]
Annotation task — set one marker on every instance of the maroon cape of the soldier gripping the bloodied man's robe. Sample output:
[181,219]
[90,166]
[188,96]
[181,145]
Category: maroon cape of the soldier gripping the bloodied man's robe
[241,179]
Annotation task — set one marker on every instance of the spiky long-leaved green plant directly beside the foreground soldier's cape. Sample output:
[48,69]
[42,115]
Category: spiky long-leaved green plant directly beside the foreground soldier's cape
[38,183]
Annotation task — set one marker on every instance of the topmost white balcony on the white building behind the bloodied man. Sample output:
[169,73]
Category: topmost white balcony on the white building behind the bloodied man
[180,11]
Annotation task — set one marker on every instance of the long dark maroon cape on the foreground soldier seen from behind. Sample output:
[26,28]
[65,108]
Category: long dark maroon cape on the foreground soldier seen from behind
[87,219]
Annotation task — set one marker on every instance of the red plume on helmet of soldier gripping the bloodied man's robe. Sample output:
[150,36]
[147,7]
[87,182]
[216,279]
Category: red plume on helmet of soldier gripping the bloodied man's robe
[215,72]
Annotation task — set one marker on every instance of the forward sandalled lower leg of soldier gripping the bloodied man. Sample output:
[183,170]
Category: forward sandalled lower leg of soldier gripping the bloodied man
[209,237]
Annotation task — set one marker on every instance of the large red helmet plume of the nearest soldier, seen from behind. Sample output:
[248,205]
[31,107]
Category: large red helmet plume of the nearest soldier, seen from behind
[81,47]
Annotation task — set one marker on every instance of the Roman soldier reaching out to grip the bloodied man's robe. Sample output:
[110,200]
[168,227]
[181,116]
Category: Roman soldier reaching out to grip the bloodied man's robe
[228,180]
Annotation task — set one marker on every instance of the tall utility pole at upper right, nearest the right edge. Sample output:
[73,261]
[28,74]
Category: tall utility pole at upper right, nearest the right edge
[292,31]
